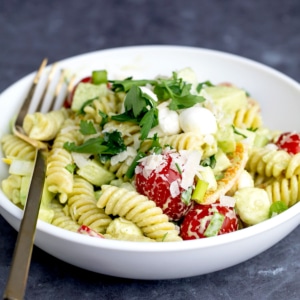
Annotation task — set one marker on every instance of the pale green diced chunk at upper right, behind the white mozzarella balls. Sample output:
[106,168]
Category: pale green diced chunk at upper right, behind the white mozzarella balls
[228,98]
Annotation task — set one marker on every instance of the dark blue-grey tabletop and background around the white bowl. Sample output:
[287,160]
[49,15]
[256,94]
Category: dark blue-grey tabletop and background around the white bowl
[266,31]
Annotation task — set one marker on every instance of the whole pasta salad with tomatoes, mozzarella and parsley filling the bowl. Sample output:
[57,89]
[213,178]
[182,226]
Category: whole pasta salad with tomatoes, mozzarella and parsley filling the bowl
[156,160]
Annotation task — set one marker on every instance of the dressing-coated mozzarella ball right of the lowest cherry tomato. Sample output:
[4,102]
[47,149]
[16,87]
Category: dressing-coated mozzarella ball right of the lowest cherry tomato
[252,205]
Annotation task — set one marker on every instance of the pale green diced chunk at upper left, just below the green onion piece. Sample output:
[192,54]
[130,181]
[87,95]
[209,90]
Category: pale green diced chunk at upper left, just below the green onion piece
[85,92]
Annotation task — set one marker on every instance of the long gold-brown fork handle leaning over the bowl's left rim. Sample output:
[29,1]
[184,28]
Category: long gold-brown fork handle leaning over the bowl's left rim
[16,284]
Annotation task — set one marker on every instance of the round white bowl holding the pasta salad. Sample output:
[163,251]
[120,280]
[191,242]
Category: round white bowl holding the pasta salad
[279,98]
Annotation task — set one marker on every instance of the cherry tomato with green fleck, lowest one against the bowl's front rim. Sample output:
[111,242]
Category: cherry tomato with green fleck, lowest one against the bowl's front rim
[208,220]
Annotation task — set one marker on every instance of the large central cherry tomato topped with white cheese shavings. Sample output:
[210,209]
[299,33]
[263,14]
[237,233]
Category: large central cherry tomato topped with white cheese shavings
[162,185]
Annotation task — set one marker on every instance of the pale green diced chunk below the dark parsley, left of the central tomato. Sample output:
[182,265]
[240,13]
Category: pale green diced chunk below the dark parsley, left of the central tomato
[95,173]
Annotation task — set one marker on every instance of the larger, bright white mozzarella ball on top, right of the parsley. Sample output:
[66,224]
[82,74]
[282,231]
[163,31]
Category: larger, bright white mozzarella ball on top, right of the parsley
[199,120]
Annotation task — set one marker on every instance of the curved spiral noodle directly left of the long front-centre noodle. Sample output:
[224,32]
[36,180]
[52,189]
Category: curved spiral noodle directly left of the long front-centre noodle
[82,206]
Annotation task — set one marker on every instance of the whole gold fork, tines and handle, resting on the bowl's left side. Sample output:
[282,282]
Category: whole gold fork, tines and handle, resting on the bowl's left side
[17,279]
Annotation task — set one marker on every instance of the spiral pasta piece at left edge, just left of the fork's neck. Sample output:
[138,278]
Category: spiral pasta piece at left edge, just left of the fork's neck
[15,147]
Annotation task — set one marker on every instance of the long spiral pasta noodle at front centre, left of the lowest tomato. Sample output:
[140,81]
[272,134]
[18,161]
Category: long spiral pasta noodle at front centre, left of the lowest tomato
[140,210]
